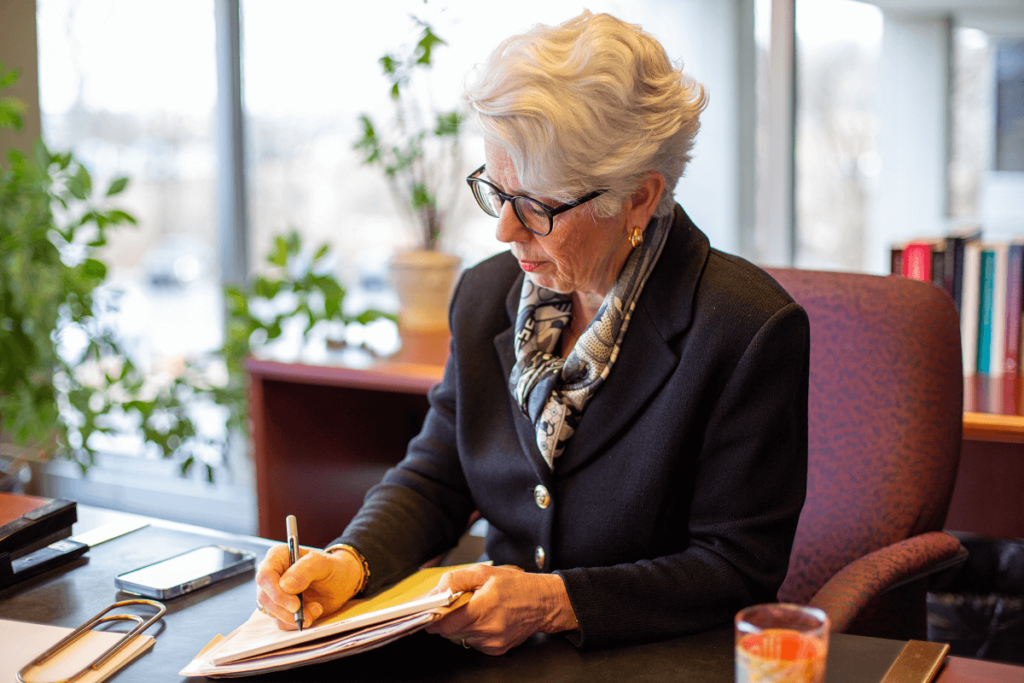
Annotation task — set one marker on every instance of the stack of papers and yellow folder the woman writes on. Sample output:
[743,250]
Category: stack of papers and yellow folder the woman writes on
[260,646]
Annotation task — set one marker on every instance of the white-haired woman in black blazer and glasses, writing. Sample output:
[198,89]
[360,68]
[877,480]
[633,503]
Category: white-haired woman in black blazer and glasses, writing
[626,406]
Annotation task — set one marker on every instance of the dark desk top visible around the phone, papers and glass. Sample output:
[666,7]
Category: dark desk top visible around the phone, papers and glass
[71,595]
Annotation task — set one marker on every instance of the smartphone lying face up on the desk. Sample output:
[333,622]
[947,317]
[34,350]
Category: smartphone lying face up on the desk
[186,573]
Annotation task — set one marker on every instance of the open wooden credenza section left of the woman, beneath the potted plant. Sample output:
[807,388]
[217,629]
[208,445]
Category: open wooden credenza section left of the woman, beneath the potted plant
[323,436]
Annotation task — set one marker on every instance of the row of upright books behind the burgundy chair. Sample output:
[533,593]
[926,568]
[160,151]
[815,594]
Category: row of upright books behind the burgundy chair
[986,281]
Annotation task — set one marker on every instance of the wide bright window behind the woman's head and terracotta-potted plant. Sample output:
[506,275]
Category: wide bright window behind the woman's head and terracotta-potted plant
[311,71]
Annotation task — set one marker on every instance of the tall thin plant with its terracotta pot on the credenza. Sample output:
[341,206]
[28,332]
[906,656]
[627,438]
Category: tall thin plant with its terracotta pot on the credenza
[420,154]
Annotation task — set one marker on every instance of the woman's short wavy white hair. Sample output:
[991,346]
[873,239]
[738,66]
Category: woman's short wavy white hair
[592,104]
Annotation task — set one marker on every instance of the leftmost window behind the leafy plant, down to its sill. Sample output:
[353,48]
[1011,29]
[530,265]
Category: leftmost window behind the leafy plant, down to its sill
[132,90]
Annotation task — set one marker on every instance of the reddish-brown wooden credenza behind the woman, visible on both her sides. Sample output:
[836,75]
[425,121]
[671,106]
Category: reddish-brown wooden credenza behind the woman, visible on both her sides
[323,436]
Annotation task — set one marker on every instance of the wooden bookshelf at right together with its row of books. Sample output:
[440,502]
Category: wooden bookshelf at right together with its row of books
[986,281]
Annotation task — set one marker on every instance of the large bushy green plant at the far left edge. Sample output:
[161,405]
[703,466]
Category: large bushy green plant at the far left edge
[56,393]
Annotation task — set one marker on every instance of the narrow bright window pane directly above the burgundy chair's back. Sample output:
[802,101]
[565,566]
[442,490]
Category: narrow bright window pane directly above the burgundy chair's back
[837,156]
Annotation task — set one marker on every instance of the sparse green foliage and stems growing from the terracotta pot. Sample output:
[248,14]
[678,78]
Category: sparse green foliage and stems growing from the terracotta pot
[419,151]
